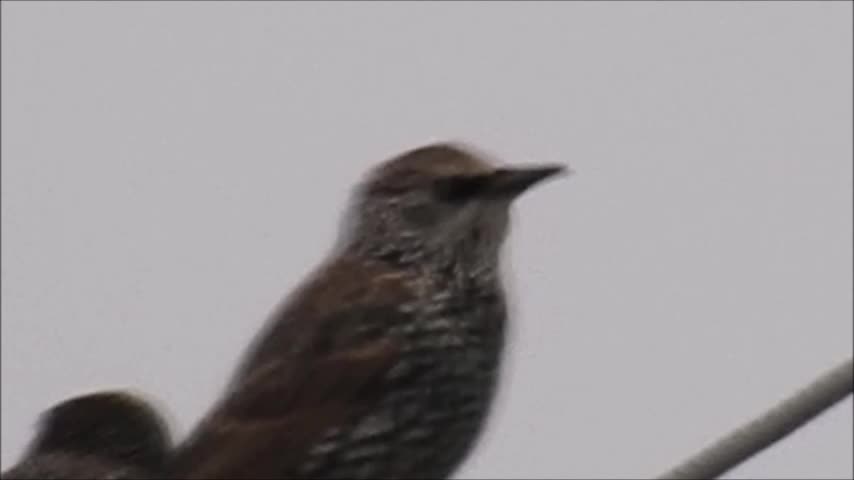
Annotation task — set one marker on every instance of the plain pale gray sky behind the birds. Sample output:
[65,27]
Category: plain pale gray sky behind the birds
[170,171]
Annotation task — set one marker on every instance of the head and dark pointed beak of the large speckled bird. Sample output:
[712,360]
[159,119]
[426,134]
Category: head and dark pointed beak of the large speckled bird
[439,199]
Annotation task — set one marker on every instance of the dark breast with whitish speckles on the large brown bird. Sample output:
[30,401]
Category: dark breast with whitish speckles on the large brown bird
[437,399]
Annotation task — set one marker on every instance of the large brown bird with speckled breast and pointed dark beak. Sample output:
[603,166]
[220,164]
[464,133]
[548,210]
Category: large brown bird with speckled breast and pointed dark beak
[384,362]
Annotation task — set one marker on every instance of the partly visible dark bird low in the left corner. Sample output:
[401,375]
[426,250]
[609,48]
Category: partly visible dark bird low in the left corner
[101,435]
